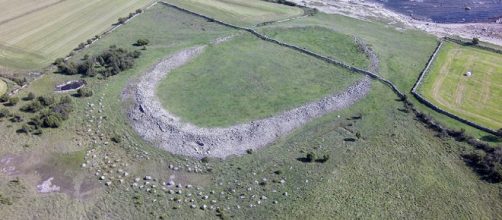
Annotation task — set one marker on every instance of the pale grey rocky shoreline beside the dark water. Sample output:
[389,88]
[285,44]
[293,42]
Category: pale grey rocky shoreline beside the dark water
[488,32]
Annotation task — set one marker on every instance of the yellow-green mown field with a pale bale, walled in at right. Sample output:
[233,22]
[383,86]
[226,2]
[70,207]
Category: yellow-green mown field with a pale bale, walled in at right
[476,97]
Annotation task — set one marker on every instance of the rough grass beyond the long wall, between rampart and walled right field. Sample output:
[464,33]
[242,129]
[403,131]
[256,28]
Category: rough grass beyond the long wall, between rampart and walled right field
[401,52]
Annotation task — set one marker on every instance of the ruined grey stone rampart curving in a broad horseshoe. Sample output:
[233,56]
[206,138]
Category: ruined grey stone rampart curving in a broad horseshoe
[165,130]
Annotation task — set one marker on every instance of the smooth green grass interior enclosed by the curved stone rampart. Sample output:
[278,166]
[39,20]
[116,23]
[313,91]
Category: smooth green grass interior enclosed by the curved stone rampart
[247,79]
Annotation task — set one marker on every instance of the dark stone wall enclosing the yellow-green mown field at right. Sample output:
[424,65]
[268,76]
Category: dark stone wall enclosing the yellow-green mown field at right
[436,108]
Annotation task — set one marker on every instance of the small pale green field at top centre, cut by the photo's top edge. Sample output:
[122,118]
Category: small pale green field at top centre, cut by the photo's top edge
[241,12]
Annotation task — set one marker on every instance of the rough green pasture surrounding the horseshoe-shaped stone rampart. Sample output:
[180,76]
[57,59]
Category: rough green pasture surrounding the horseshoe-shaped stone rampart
[397,169]
